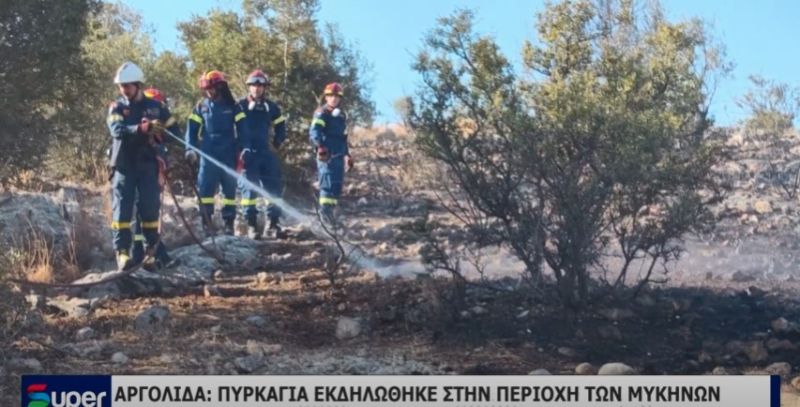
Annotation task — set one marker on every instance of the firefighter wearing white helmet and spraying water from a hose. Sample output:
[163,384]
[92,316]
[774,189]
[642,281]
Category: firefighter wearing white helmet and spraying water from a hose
[136,124]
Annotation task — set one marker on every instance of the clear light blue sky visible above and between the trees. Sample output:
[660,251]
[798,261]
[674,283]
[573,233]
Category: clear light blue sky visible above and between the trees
[761,37]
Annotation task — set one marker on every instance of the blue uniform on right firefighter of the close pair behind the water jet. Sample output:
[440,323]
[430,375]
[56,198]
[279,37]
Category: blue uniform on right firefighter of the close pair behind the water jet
[262,167]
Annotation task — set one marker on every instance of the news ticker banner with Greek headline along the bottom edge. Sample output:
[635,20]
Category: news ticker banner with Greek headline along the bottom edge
[343,391]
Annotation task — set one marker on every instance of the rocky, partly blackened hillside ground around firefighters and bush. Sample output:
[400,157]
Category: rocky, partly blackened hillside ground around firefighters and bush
[729,307]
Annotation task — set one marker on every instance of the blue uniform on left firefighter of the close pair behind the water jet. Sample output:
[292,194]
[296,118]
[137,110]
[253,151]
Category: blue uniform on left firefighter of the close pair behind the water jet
[213,128]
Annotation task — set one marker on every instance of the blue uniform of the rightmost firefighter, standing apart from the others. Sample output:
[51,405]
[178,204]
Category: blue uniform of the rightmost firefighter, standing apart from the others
[328,130]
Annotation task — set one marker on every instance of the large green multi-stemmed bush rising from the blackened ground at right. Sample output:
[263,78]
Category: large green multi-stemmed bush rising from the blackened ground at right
[601,153]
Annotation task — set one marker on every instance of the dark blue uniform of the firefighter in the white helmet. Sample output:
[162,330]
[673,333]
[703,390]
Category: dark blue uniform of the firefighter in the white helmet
[135,170]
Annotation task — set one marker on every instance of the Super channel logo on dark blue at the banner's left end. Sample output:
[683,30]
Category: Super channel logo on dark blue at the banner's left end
[66,391]
